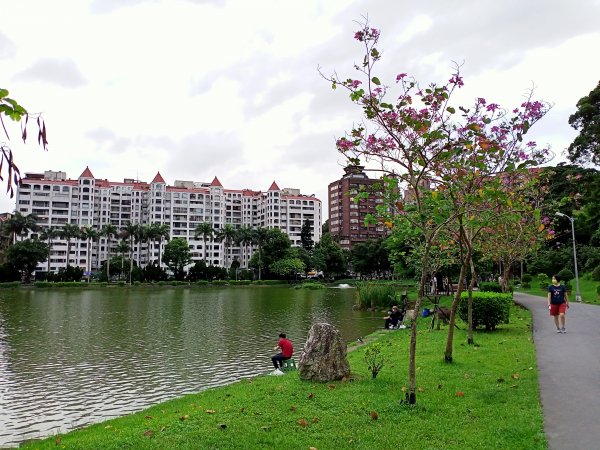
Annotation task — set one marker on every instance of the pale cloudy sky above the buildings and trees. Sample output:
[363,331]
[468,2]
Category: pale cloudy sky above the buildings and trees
[233,88]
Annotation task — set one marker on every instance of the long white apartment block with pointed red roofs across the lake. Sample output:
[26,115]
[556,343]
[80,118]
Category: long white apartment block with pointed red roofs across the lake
[89,201]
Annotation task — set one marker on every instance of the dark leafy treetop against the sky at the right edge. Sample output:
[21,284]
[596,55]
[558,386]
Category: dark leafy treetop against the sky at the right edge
[586,146]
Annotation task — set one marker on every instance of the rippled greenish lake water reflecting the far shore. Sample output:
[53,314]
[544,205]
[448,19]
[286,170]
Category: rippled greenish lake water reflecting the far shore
[71,358]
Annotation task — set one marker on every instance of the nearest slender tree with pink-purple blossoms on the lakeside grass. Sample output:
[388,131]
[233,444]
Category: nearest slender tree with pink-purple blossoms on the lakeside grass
[422,145]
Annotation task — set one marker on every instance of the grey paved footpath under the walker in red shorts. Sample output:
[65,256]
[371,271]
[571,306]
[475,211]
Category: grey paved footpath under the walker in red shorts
[569,373]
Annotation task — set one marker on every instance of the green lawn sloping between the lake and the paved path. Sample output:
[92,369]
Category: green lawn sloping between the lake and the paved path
[487,399]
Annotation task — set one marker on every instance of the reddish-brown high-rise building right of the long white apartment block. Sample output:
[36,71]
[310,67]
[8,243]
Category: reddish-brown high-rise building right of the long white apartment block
[346,217]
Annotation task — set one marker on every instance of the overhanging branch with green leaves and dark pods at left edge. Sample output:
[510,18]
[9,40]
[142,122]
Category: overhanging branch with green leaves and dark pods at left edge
[10,109]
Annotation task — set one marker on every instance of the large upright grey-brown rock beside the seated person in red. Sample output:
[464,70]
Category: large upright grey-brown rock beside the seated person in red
[324,355]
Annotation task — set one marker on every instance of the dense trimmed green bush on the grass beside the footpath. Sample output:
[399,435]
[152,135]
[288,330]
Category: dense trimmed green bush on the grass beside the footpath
[489,309]
